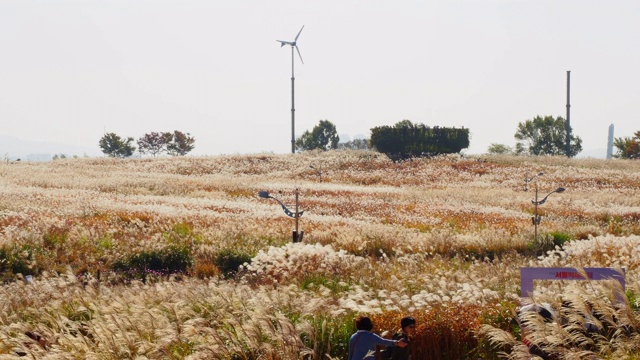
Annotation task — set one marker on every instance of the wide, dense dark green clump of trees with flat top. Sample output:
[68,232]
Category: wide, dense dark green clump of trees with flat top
[405,140]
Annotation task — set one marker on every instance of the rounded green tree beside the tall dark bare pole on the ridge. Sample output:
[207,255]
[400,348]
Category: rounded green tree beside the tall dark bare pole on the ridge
[545,136]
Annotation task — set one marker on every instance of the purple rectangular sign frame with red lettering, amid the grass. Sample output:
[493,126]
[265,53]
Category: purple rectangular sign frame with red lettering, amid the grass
[527,275]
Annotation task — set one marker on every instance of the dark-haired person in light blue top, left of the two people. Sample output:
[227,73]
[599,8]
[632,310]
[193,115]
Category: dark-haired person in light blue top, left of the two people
[362,344]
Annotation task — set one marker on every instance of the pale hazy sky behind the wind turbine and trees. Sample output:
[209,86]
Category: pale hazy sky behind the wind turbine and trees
[69,70]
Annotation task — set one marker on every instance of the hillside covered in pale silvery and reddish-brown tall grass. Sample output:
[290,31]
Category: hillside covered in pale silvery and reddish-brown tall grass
[141,257]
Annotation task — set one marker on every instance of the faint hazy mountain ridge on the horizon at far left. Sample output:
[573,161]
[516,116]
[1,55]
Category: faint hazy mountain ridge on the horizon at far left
[14,148]
